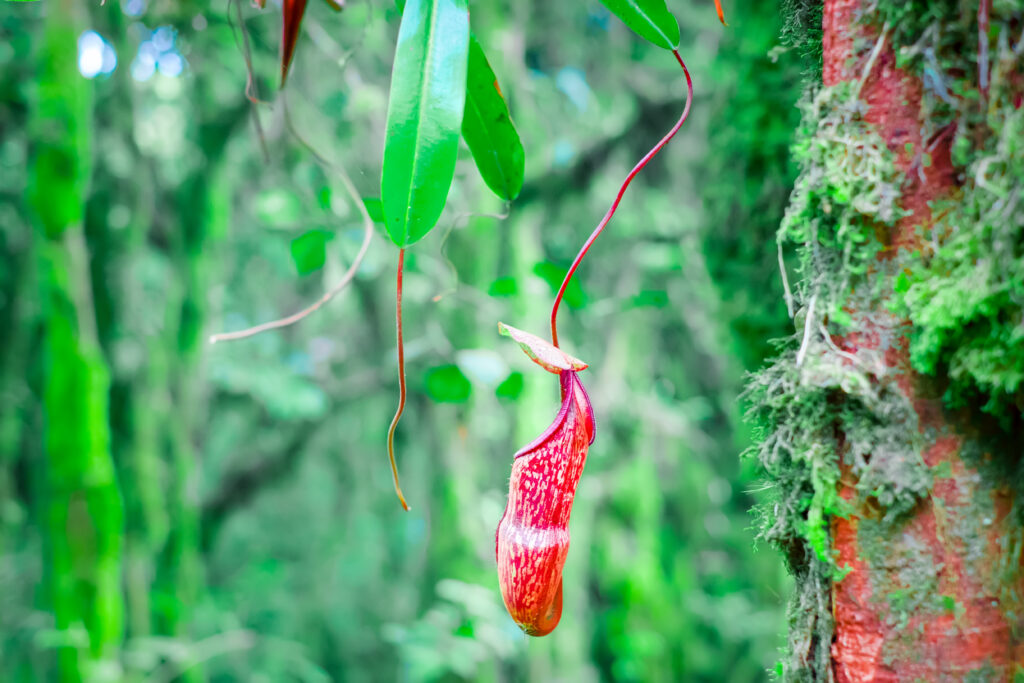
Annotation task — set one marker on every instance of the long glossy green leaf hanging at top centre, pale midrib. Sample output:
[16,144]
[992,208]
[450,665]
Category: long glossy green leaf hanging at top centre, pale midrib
[425,109]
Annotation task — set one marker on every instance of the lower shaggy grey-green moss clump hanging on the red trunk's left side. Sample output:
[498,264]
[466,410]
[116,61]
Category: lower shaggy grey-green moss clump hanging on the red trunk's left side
[815,420]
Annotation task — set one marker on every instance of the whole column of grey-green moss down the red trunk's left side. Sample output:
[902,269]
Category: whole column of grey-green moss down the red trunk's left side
[820,411]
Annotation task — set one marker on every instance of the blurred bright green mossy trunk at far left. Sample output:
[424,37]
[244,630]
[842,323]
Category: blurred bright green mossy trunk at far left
[81,510]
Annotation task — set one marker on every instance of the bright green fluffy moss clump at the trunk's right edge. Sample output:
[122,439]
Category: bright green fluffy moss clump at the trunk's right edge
[967,302]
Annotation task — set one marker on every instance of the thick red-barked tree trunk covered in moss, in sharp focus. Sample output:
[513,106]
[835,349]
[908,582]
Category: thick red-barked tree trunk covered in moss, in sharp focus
[891,426]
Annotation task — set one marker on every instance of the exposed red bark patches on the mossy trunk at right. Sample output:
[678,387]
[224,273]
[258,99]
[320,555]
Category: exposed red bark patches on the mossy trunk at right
[967,550]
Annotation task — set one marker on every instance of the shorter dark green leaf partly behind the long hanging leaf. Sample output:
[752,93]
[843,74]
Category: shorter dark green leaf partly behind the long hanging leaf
[488,129]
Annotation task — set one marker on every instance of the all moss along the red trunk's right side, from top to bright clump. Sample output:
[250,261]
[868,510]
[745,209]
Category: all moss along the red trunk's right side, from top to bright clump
[966,297]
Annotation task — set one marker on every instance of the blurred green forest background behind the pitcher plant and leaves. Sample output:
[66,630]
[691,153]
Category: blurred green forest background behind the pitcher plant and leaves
[261,539]
